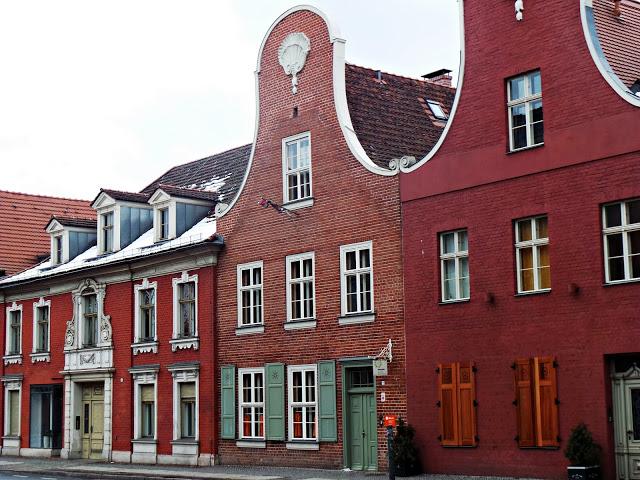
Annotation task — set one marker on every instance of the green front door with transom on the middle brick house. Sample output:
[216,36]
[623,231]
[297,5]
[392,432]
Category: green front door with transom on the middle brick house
[362,440]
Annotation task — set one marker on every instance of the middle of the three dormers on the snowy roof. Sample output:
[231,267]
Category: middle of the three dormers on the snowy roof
[122,218]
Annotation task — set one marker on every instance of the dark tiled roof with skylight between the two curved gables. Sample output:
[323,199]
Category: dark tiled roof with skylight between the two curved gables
[391,117]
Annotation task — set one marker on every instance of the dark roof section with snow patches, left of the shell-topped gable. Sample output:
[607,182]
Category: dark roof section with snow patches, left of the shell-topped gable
[221,174]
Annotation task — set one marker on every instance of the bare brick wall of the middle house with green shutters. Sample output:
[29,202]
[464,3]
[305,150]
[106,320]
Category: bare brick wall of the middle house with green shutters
[351,205]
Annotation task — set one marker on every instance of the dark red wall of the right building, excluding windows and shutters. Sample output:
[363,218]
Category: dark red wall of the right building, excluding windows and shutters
[590,157]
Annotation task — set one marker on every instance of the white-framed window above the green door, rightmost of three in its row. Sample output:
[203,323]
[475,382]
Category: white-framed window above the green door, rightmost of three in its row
[356,278]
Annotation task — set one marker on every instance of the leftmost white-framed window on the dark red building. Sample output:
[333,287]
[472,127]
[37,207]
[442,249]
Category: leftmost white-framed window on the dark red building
[454,265]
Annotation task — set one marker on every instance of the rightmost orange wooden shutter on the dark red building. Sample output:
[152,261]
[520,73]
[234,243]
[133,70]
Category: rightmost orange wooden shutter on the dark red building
[546,395]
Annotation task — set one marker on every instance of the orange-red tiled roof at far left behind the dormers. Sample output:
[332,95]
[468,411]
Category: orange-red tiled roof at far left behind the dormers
[22,219]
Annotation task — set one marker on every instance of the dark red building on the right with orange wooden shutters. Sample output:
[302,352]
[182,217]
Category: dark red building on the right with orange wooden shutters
[521,236]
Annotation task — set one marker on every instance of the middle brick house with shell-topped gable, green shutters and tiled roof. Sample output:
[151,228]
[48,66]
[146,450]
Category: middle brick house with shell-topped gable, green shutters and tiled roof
[310,291]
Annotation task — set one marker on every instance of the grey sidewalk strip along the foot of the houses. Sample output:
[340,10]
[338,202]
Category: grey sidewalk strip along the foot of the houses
[90,469]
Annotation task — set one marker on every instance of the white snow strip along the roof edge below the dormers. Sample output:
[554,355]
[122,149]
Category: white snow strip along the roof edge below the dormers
[143,246]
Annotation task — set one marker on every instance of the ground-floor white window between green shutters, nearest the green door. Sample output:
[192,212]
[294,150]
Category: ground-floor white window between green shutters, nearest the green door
[303,405]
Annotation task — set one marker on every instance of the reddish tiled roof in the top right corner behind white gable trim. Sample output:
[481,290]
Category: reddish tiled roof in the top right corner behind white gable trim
[620,37]
